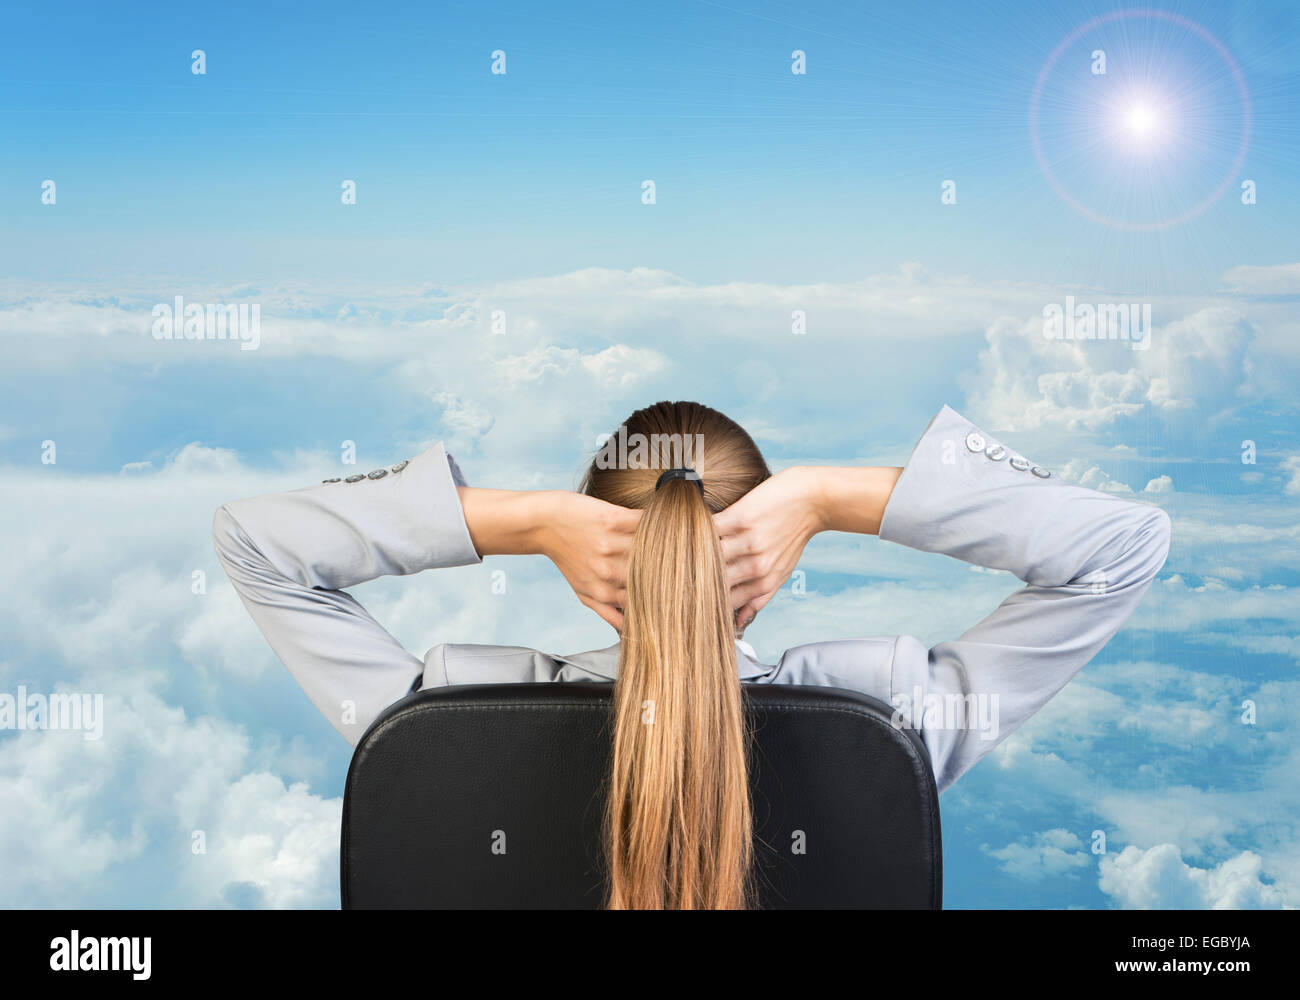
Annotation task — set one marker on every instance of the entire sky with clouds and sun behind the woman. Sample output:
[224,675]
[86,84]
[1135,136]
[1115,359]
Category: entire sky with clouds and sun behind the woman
[922,196]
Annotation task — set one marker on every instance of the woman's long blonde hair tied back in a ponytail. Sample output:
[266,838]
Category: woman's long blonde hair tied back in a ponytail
[678,825]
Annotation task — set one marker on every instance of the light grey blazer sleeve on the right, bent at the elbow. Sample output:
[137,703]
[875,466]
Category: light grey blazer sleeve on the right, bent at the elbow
[1087,559]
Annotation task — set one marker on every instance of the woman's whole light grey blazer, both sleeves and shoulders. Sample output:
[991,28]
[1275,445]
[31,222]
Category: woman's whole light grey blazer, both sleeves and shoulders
[1086,559]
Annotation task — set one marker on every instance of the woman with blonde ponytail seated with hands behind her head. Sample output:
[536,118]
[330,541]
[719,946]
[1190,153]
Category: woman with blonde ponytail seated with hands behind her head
[678,542]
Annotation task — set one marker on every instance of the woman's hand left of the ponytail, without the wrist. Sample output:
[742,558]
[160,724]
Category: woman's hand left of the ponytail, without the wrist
[590,542]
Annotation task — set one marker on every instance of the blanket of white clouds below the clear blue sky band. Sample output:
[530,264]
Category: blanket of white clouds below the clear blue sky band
[1146,744]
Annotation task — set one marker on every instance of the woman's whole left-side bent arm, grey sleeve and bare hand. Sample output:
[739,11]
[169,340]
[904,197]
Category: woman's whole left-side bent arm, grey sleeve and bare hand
[291,557]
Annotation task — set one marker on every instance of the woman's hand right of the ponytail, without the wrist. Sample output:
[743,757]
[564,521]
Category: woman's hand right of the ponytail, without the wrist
[764,535]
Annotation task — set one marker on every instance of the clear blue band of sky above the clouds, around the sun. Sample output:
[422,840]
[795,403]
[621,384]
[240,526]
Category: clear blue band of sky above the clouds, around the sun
[466,175]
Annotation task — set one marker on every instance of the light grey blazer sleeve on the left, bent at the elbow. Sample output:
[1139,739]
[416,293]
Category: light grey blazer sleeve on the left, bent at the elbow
[291,556]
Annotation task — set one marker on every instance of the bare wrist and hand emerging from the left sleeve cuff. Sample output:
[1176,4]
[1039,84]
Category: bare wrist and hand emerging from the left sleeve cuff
[587,539]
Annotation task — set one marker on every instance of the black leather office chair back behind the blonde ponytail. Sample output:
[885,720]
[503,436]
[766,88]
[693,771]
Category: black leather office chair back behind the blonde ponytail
[492,796]
